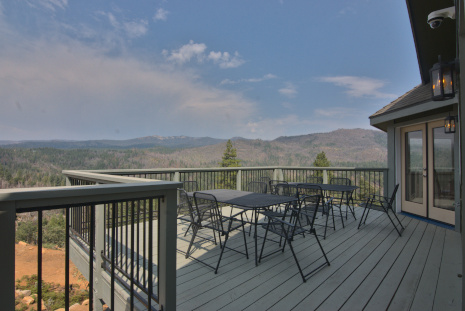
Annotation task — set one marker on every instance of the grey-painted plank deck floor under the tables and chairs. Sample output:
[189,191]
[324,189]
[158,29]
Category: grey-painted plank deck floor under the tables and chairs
[371,269]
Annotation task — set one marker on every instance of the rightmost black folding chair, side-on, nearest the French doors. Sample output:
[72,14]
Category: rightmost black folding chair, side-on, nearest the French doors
[383,204]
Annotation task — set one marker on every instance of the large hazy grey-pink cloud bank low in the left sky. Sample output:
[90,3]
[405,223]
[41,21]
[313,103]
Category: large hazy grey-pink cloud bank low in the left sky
[72,91]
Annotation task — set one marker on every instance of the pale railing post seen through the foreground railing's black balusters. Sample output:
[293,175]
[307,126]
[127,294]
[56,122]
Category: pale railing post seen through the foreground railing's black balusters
[99,247]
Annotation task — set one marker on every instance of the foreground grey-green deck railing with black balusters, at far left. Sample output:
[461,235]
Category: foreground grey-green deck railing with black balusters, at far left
[103,219]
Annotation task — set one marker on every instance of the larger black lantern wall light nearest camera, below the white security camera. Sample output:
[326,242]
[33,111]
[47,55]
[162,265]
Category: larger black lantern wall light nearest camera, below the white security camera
[442,80]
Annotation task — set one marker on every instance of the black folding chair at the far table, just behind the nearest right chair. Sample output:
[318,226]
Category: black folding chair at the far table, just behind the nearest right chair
[325,206]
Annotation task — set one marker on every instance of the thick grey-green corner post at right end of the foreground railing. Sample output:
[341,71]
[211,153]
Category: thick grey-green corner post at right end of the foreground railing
[167,251]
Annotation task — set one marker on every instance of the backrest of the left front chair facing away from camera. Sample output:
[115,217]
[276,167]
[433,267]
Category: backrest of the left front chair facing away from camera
[206,208]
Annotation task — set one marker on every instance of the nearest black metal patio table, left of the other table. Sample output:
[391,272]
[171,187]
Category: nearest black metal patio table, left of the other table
[252,200]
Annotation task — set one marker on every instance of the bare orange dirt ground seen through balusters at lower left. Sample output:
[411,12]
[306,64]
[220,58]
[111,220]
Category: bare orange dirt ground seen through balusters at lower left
[53,265]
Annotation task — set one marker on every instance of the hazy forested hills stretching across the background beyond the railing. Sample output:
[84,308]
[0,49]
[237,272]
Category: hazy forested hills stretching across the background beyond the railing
[39,166]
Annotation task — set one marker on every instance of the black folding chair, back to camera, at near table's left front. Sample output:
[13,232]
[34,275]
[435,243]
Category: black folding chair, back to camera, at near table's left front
[206,214]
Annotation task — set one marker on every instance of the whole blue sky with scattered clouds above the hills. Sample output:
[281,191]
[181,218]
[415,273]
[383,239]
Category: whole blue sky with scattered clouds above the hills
[260,69]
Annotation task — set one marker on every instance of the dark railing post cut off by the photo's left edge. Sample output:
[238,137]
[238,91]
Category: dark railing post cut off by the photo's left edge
[7,260]
